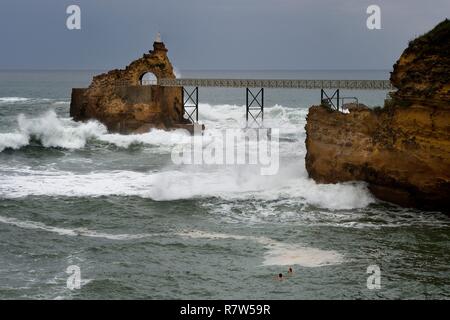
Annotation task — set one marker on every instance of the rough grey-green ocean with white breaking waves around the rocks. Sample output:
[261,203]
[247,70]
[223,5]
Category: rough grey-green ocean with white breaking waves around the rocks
[136,225]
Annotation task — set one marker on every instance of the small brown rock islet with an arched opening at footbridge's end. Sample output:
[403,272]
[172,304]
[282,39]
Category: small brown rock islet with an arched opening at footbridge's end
[120,101]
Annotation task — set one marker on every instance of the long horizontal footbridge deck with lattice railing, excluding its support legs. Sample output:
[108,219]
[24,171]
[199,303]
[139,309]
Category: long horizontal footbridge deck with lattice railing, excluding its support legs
[285,83]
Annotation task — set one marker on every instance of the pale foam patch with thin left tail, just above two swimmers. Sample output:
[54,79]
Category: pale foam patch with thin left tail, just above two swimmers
[278,253]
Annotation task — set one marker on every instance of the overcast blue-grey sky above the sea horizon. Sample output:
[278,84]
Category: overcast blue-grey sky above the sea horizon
[213,34]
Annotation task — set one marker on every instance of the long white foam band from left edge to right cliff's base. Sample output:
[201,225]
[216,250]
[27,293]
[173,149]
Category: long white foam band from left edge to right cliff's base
[227,183]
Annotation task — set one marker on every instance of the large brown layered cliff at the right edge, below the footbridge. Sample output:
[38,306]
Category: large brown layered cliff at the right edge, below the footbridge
[403,149]
